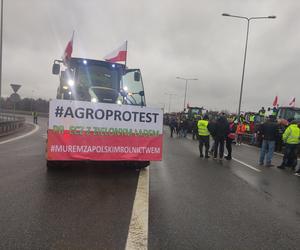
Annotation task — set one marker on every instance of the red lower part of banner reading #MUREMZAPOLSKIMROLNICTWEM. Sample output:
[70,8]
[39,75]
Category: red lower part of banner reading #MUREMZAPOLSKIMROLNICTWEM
[67,146]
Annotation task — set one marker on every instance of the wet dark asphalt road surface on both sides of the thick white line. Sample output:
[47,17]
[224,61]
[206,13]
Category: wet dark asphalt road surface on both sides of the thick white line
[193,203]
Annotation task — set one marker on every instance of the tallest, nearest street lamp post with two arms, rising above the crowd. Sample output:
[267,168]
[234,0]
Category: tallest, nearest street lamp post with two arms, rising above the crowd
[245,52]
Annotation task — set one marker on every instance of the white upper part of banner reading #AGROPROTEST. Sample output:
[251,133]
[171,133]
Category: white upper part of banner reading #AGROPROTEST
[69,113]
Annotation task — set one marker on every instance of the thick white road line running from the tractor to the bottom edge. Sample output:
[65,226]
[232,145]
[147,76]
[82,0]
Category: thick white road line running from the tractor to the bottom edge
[138,229]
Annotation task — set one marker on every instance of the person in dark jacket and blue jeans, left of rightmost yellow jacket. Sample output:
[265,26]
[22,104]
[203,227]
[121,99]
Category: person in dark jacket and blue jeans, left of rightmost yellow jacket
[269,132]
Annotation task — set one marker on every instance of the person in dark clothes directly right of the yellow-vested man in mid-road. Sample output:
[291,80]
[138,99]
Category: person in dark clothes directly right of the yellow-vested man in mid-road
[222,130]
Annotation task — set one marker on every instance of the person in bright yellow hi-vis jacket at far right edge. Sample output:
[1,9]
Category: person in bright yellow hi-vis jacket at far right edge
[291,138]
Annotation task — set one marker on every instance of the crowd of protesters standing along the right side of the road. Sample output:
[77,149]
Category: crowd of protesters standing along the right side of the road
[224,130]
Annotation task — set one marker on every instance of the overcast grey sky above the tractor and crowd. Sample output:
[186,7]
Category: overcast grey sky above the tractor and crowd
[165,39]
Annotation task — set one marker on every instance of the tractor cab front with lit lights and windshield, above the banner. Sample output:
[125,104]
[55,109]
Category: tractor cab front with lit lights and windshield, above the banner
[100,81]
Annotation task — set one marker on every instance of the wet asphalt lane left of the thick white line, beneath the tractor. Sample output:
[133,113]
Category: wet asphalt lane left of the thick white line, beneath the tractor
[82,207]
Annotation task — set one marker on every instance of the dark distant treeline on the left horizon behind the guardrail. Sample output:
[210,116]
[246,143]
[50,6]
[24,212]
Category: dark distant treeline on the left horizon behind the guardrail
[26,104]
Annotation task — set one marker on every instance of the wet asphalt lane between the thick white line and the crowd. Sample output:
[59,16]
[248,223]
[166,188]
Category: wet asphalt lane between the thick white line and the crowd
[204,204]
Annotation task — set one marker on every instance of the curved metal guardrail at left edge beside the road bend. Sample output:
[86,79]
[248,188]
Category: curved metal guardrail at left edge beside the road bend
[10,123]
